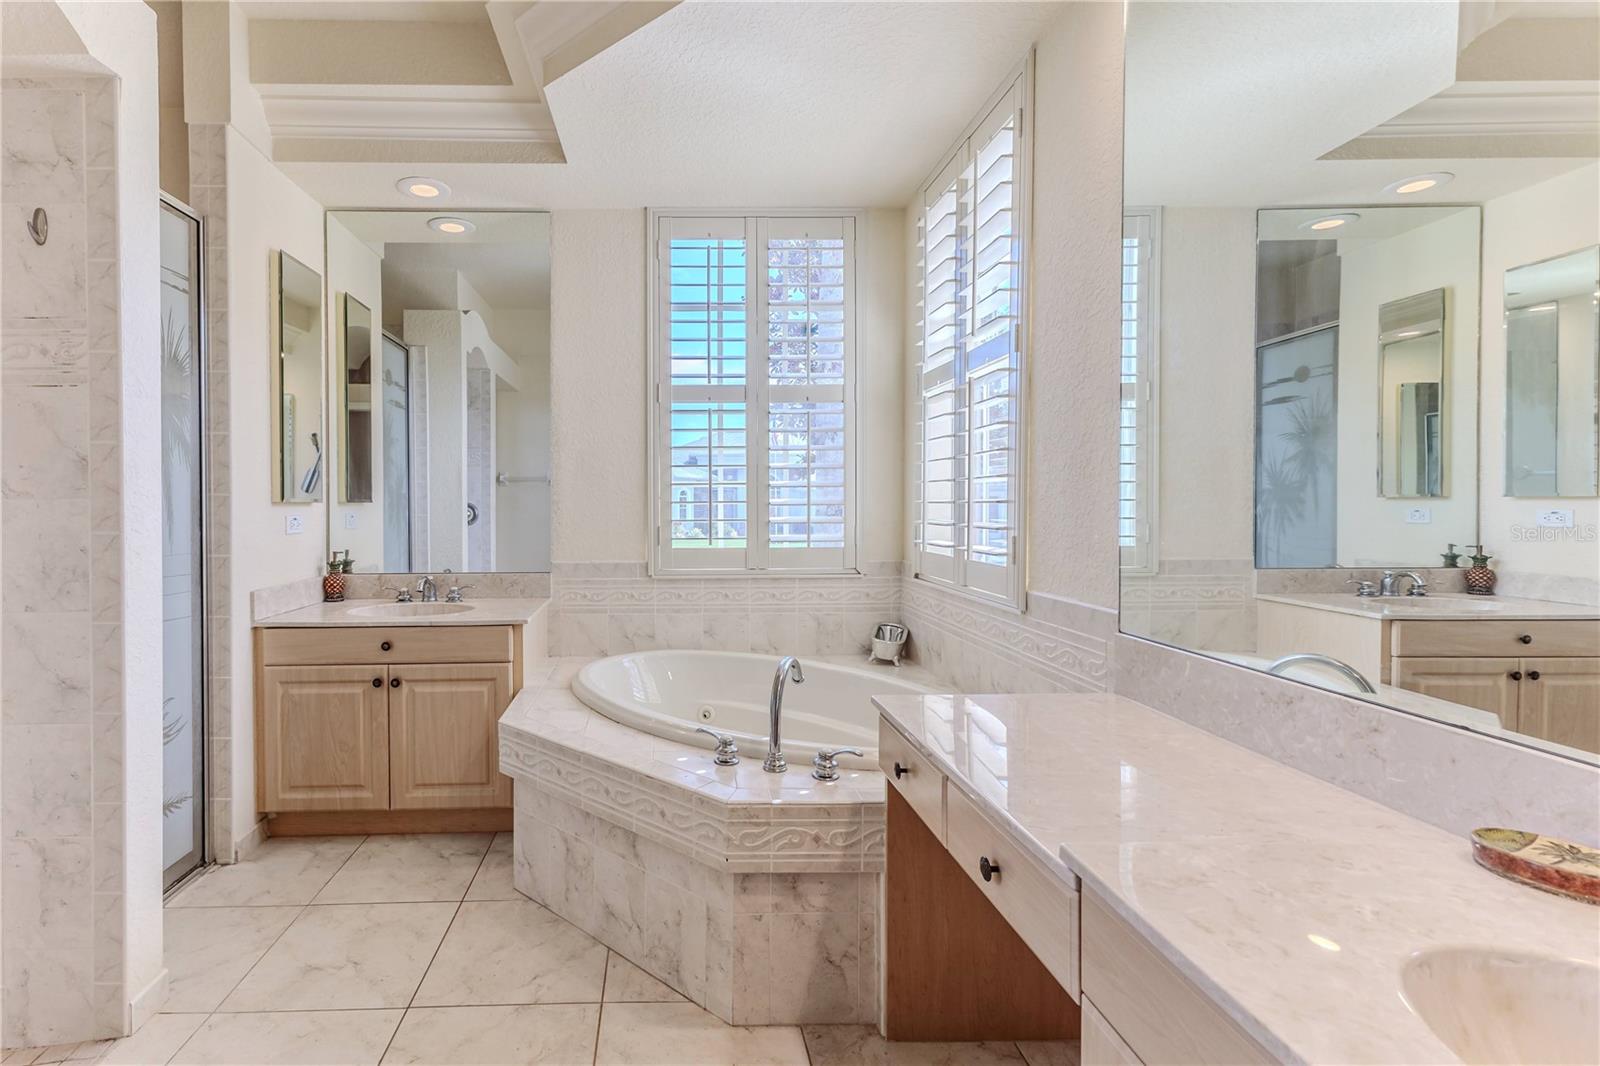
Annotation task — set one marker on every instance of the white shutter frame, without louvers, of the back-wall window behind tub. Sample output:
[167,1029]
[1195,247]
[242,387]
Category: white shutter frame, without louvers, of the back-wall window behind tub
[758,556]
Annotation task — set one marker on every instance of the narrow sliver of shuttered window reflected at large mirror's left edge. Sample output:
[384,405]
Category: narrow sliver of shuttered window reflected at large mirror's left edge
[1140,361]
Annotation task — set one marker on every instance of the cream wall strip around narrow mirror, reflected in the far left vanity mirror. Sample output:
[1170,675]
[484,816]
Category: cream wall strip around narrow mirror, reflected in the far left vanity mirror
[356,270]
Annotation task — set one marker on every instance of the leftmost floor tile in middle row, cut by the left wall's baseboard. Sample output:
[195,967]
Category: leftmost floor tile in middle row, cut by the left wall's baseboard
[209,950]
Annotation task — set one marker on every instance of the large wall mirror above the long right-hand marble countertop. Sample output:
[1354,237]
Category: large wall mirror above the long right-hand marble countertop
[1359,356]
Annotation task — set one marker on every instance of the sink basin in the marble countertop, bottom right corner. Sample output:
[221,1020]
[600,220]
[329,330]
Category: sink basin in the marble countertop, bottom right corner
[1492,1006]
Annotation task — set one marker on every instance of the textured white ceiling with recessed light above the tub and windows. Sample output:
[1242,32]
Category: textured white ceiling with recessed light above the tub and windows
[748,105]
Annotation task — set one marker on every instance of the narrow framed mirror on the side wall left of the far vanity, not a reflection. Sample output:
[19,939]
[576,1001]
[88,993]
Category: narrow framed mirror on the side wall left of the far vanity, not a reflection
[297,382]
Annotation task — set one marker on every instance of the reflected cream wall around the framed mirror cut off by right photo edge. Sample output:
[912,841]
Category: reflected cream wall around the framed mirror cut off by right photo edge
[1548,220]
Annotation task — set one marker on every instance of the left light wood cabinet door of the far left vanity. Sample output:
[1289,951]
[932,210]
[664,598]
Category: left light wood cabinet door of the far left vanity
[326,739]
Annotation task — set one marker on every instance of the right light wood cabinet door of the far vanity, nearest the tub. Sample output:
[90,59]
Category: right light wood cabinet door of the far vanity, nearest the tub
[444,724]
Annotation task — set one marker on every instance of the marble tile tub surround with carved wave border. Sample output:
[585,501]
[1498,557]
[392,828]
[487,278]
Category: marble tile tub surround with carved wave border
[751,894]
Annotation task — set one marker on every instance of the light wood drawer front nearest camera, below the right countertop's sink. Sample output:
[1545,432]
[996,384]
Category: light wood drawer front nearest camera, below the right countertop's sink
[1154,1008]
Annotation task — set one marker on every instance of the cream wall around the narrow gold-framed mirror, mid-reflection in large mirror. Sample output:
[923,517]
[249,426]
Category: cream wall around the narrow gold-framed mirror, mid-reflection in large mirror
[1374,529]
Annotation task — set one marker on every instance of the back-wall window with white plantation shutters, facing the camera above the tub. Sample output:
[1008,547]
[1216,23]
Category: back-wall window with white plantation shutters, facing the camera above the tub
[754,353]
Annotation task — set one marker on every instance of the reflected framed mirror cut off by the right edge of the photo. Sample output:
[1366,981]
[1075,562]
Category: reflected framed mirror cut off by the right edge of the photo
[1553,361]
